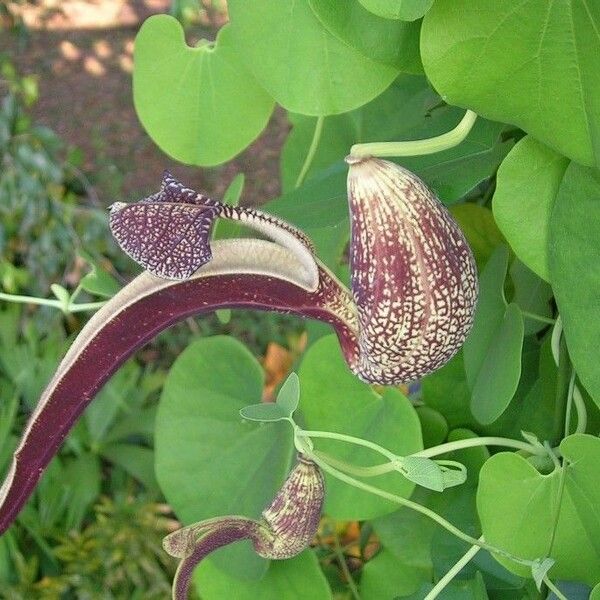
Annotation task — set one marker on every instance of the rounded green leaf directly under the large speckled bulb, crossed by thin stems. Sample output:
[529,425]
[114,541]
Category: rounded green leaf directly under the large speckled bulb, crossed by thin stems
[334,400]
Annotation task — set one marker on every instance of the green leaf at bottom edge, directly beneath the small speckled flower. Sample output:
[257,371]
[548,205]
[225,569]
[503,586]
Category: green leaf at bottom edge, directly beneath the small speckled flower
[298,578]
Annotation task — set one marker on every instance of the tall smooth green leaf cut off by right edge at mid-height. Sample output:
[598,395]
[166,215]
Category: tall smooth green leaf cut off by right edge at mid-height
[575,269]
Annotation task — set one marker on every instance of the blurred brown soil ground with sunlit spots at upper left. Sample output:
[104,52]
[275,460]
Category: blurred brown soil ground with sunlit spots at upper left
[82,53]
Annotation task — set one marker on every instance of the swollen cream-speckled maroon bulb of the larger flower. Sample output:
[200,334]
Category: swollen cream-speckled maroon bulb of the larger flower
[414,278]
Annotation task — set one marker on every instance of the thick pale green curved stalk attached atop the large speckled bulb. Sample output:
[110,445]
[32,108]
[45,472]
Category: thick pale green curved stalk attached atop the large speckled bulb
[418,147]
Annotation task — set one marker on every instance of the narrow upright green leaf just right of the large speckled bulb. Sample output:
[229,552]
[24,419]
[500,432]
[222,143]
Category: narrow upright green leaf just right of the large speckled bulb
[492,352]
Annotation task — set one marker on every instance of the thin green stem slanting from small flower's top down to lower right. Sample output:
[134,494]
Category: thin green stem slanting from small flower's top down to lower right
[414,506]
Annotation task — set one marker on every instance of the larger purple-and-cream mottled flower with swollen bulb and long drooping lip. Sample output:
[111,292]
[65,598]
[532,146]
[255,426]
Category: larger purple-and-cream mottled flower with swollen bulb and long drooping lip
[414,290]
